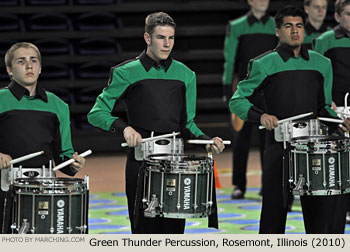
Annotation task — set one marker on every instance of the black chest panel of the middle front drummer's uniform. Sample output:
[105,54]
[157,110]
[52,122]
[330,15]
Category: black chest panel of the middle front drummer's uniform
[154,105]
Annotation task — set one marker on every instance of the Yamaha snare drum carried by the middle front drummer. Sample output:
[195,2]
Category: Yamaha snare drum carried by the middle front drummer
[178,186]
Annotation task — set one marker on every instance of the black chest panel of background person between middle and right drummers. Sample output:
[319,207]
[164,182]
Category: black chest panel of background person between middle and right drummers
[261,43]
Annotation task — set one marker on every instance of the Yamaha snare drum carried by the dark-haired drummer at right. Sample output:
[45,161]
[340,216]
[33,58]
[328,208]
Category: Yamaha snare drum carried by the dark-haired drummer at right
[320,166]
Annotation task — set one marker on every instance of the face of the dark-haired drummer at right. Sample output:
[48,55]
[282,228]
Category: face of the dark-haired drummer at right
[291,32]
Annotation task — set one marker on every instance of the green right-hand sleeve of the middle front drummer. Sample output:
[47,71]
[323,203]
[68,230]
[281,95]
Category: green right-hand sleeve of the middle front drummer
[191,97]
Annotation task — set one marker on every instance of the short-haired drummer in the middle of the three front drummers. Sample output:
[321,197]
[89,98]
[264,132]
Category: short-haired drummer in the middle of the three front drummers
[160,95]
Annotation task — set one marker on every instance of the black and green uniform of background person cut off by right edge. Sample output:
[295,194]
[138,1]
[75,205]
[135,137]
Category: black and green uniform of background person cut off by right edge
[335,45]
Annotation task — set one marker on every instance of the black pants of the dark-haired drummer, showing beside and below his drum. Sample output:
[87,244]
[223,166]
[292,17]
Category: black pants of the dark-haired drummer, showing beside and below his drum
[322,214]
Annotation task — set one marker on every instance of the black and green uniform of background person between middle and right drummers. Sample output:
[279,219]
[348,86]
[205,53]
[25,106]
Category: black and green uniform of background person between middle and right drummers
[246,38]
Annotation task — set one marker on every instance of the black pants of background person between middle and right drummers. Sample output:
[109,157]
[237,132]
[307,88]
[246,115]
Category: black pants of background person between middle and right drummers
[240,150]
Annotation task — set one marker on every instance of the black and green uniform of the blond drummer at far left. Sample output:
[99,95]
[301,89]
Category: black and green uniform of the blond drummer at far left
[33,123]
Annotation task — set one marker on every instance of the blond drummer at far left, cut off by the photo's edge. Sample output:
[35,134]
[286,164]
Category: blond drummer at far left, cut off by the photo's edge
[32,119]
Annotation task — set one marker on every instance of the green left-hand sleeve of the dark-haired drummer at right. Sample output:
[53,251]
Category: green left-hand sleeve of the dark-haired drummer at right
[239,103]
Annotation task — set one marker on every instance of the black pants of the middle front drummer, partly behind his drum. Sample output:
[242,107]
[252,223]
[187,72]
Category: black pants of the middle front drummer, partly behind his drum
[146,225]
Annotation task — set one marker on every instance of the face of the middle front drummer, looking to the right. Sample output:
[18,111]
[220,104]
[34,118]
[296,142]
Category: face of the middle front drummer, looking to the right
[160,43]
